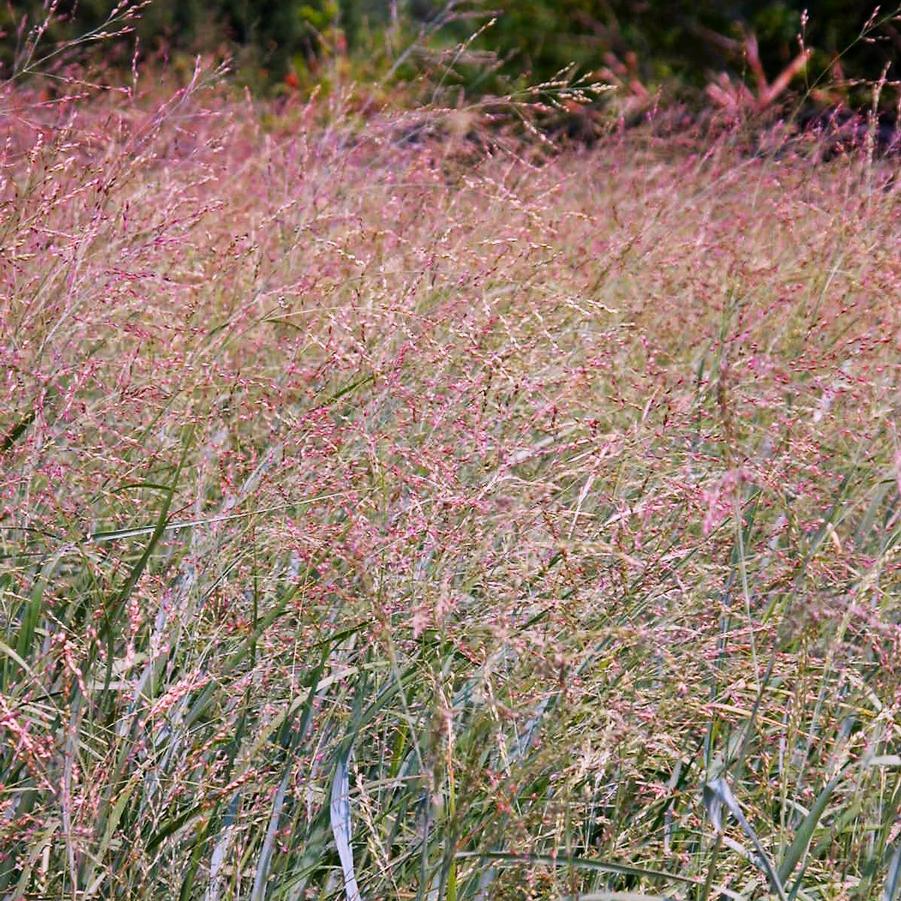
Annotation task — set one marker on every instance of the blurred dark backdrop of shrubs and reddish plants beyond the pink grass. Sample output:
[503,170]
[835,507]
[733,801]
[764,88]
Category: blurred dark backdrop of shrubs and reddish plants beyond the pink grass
[732,51]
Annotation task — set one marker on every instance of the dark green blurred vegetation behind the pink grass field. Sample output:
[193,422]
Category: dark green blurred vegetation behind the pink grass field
[652,42]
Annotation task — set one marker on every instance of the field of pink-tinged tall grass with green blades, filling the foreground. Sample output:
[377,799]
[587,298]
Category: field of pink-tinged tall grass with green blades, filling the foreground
[381,522]
